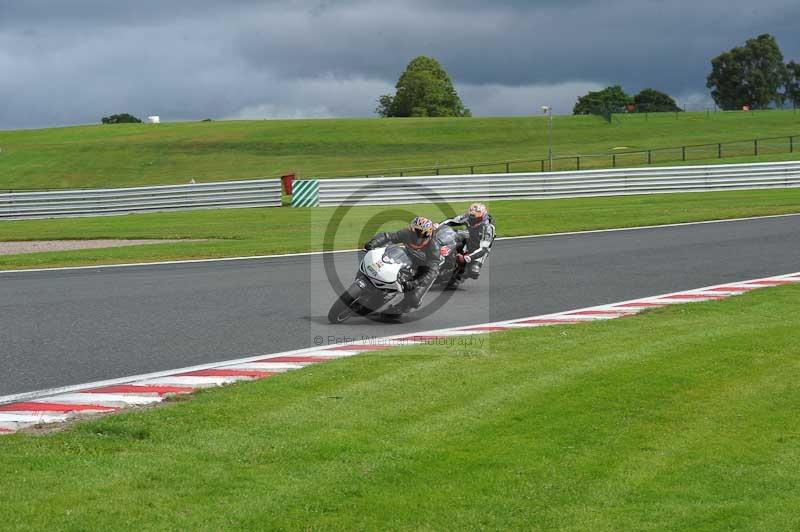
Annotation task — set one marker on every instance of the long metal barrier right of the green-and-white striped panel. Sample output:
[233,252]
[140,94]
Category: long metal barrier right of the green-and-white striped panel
[399,190]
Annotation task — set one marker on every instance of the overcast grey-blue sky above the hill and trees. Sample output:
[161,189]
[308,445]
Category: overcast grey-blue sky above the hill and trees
[74,61]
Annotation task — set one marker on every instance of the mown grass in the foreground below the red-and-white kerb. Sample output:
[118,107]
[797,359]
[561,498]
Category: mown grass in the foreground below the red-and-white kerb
[682,418]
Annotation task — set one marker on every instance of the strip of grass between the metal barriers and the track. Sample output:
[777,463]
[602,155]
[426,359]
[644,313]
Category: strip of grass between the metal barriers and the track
[246,232]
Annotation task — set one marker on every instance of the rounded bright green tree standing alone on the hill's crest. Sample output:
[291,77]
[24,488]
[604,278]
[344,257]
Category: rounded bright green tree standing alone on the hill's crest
[424,89]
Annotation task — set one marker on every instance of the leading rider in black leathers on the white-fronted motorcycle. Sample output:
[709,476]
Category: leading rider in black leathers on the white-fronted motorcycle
[424,252]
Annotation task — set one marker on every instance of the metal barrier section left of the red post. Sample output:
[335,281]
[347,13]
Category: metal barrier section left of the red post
[97,202]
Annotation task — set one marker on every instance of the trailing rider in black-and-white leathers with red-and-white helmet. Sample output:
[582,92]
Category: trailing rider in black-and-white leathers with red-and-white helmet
[479,237]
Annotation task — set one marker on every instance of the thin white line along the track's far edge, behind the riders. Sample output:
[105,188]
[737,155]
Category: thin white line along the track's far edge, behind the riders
[312,253]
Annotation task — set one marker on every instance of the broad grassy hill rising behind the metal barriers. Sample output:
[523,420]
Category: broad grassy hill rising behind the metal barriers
[137,154]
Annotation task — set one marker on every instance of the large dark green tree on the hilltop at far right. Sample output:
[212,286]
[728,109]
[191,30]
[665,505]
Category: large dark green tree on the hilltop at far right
[748,75]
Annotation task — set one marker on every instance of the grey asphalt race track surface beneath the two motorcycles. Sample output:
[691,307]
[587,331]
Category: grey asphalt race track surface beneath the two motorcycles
[60,328]
